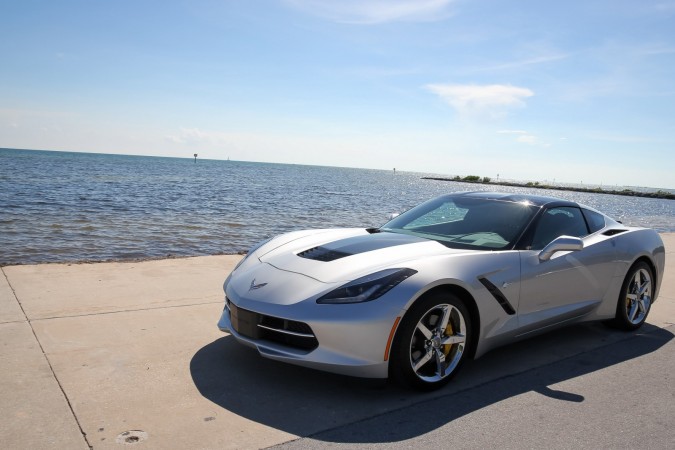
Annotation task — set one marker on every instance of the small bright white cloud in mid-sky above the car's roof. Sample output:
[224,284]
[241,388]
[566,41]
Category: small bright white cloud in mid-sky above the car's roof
[491,98]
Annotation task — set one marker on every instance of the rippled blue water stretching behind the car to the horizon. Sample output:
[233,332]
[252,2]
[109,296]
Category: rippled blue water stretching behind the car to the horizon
[67,207]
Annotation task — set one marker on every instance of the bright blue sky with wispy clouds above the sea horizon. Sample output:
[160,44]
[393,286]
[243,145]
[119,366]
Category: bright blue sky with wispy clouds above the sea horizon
[575,91]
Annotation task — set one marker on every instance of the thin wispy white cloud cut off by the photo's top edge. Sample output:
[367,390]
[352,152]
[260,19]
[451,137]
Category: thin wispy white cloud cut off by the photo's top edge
[375,11]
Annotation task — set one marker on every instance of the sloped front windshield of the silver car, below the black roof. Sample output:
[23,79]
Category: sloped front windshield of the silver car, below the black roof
[466,222]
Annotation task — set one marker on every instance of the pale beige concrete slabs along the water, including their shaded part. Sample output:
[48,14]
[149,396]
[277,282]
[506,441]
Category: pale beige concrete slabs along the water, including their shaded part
[92,351]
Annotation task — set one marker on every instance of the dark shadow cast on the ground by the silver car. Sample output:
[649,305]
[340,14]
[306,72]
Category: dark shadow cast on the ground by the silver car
[306,402]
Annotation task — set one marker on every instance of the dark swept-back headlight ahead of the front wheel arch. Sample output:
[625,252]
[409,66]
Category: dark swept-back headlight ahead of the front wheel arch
[367,288]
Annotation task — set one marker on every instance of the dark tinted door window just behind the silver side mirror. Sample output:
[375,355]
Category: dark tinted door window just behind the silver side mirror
[556,222]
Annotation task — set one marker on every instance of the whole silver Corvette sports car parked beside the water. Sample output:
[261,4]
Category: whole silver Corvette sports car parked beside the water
[447,280]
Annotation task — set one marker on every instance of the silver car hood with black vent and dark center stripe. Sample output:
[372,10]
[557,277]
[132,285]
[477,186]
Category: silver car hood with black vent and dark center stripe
[332,256]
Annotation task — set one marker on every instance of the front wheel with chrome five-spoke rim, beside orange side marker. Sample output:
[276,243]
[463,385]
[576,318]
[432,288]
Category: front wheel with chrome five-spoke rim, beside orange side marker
[426,353]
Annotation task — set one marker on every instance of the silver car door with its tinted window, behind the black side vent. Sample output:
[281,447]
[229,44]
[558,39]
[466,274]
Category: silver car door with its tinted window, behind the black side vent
[567,285]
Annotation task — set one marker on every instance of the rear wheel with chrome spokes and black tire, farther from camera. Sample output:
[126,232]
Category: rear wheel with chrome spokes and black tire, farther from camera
[635,298]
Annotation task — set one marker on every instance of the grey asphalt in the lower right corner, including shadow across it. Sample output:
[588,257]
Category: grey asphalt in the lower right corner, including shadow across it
[619,396]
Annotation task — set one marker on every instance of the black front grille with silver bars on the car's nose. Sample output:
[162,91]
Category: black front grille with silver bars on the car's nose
[282,331]
